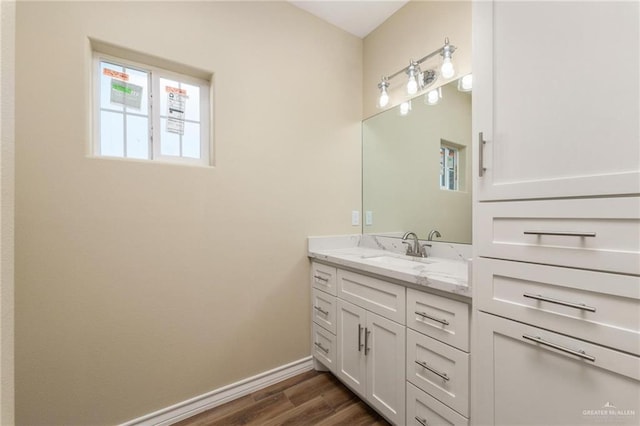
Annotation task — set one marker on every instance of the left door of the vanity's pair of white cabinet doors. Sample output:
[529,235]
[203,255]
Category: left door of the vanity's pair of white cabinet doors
[351,355]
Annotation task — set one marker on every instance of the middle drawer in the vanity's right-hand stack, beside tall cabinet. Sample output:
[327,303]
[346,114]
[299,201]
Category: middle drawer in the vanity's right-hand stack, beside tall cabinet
[439,369]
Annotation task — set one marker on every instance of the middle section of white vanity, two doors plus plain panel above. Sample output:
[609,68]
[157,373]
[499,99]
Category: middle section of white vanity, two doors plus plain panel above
[371,347]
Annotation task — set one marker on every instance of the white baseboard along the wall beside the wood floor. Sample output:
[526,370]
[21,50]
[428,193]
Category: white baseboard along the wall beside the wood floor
[193,406]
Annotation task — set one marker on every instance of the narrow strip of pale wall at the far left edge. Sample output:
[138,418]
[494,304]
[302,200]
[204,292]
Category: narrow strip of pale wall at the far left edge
[7,181]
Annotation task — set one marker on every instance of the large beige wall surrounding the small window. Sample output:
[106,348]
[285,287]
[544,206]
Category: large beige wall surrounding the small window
[142,285]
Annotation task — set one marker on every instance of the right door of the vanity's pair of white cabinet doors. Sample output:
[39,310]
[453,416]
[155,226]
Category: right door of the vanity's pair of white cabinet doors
[385,353]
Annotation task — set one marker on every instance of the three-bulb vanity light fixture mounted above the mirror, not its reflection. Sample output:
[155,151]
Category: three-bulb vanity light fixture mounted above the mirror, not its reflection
[419,80]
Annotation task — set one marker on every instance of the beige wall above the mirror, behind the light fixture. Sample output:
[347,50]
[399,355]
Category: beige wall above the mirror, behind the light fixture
[414,31]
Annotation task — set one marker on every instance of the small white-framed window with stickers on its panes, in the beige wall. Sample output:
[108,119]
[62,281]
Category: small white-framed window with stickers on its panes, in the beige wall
[150,113]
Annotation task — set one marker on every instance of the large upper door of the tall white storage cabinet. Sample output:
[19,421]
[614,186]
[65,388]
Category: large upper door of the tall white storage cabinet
[556,96]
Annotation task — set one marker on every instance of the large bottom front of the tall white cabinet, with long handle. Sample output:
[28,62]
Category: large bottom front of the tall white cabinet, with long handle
[528,375]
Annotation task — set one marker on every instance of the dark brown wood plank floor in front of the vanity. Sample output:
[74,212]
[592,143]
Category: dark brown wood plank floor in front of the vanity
[311,398]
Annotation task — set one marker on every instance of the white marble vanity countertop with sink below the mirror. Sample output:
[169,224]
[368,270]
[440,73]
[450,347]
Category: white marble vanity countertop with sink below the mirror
[444,274]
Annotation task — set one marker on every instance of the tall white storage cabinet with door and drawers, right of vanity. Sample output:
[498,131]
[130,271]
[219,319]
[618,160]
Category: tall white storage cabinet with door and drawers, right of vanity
[556,109]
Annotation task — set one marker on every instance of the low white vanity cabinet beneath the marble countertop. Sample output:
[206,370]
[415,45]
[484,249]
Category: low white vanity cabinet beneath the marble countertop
[405,352]
